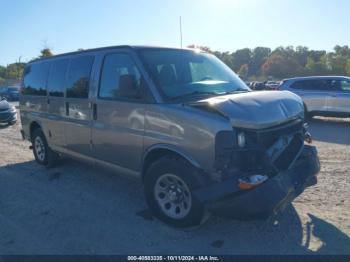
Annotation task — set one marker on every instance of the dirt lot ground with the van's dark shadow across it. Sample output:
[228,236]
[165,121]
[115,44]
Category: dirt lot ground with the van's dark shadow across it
[78,209]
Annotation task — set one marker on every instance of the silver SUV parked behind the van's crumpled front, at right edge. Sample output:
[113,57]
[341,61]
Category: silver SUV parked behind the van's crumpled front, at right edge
[322,95]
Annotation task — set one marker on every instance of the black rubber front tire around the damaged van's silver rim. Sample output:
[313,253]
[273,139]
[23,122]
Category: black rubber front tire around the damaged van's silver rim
[187,174]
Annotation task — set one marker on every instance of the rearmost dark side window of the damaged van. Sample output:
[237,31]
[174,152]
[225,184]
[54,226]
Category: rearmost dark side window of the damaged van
[35,77]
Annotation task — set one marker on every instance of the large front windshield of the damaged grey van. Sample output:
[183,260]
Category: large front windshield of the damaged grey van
[185,74]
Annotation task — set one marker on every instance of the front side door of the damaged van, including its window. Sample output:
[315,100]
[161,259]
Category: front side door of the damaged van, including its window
[118,112]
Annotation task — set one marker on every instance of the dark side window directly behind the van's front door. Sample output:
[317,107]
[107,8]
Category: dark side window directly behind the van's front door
[79,77]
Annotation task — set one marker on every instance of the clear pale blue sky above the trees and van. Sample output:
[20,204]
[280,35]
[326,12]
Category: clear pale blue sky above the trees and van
[27,26]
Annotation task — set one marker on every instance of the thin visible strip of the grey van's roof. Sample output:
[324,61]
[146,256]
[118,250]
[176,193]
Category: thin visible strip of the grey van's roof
[106,48]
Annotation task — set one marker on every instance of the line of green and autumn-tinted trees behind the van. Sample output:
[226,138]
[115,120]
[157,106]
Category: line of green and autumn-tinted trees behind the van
[260,63]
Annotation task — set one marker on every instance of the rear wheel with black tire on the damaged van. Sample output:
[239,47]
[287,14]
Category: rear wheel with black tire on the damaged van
[46,156]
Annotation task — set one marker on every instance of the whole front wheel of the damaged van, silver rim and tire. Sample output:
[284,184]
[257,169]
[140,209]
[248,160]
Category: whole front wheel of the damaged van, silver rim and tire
[169,185]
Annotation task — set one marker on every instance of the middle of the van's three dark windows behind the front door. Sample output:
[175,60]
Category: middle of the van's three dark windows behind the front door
[57,78]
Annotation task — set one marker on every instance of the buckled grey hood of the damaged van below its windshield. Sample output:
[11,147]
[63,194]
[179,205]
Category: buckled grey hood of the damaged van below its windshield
[257,110]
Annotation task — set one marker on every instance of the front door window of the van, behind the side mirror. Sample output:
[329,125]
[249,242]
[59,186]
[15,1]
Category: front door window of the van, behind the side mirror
[120,79]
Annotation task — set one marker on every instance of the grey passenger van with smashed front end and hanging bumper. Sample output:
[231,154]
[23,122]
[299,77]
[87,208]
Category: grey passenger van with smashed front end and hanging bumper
[180,120]
